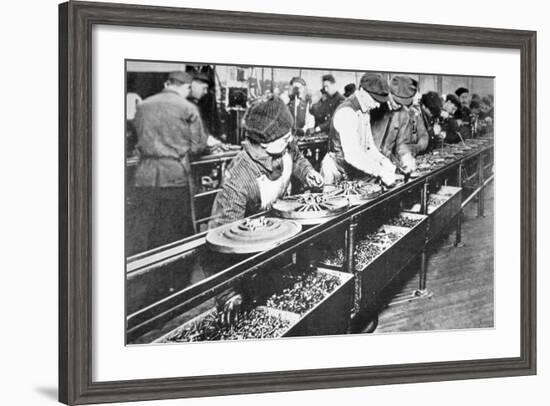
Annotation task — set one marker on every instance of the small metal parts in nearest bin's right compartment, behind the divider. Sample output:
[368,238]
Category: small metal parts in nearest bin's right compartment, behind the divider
[307,290]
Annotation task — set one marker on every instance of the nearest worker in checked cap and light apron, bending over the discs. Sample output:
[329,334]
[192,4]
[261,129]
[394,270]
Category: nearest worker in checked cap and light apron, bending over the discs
[260,174]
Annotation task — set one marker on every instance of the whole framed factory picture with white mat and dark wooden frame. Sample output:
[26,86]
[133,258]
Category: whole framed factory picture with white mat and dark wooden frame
[260,202]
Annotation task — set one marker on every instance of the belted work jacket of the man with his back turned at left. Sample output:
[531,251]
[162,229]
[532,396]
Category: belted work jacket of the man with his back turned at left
[169,133]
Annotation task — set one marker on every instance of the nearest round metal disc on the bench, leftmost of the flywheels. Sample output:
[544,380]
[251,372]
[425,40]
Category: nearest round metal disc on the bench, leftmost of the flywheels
[251,235]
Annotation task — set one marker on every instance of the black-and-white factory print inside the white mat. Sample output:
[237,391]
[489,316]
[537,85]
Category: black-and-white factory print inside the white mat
[267,202]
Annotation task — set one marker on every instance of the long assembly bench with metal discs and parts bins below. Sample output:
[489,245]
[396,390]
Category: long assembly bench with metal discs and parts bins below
[317,263]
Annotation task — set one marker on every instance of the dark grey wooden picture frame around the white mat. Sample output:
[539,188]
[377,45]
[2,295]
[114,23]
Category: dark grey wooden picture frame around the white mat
[76,20]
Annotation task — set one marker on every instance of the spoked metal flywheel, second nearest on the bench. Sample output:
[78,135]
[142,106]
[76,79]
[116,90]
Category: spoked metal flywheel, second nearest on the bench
[310,208]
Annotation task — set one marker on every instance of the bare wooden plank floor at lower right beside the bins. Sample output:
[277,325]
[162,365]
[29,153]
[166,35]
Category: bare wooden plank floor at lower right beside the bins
[460,278]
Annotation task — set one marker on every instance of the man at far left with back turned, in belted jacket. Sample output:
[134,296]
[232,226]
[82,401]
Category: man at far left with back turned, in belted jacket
[169,135]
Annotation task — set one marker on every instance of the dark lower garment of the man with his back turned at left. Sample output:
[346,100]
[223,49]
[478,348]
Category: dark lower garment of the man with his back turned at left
[157,216]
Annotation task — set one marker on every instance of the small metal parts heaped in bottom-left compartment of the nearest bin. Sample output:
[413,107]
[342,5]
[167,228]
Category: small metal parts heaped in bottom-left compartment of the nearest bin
[257,323]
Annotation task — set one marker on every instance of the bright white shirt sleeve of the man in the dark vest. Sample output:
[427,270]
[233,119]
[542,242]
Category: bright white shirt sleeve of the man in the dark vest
[370,161]
